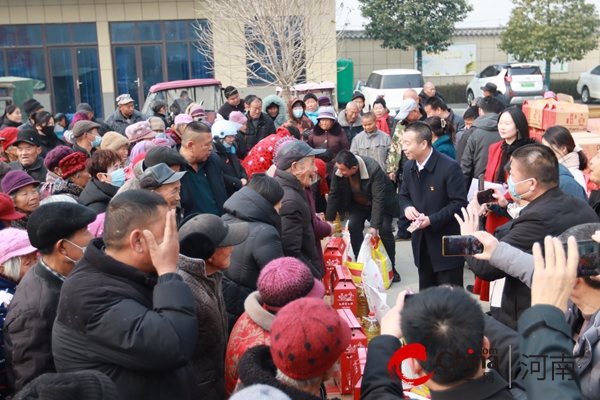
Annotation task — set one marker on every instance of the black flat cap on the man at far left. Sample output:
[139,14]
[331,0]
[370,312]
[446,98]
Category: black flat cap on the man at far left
[52,222]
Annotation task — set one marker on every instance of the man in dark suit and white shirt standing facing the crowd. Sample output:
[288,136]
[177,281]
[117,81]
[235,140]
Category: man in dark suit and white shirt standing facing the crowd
[432,192]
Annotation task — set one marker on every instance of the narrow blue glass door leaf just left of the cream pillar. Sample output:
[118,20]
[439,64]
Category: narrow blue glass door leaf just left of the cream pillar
[88,82]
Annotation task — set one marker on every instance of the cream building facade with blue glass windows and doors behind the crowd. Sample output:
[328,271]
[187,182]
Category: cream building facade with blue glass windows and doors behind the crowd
[93,50]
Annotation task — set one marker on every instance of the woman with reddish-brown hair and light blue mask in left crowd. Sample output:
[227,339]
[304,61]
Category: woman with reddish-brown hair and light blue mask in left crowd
[107,177]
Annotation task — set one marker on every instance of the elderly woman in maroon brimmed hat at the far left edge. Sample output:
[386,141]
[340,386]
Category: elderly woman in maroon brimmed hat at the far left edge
[22,189]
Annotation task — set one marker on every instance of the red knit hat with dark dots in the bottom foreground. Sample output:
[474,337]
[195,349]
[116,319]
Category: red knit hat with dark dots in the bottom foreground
[307,338]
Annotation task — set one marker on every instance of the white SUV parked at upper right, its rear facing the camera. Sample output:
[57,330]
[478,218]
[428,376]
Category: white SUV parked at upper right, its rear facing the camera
[517,82]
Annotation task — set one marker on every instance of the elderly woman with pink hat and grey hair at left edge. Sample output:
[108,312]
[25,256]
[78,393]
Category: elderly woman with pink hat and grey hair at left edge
[17,255]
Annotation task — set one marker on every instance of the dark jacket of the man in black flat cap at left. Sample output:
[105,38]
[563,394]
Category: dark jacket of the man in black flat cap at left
[28,326]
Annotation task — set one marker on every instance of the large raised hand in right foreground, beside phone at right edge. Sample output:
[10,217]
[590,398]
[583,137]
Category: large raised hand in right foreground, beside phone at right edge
[554,277]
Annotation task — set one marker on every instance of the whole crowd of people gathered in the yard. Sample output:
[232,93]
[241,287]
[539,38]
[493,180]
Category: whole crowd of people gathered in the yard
[179,256]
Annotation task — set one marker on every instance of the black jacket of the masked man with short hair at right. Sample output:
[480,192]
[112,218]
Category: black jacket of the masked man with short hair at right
[550,214]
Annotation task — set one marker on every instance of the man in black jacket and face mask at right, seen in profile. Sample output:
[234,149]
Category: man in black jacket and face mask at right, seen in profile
[534,177]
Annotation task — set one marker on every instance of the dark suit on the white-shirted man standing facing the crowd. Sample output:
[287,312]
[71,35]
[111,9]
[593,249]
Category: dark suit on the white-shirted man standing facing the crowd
[439,192]
